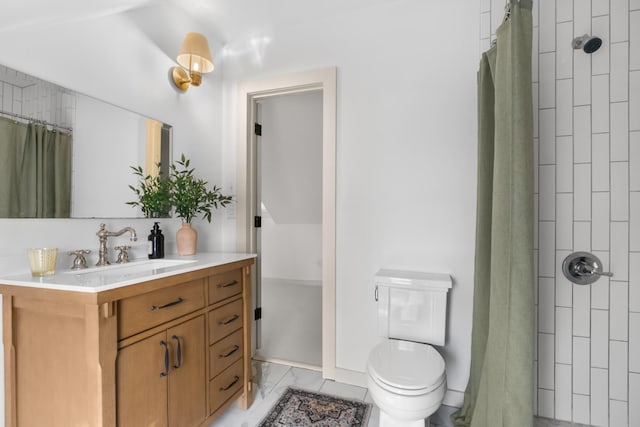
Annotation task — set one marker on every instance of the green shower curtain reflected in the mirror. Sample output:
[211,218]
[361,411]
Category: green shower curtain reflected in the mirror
[35,171]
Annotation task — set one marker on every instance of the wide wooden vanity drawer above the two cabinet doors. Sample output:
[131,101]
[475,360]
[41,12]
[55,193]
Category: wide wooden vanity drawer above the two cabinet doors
[145,311]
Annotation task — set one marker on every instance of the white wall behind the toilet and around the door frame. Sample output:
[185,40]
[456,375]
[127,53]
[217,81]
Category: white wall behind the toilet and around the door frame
[406,152]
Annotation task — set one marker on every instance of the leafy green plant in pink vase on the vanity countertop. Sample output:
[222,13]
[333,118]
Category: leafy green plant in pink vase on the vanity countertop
[191,196]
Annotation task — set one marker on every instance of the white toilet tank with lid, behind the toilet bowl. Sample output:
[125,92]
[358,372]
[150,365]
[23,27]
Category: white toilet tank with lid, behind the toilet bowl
[412,306]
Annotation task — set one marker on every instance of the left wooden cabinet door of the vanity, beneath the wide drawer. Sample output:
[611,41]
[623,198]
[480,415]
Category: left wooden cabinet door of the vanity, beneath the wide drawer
[142,383]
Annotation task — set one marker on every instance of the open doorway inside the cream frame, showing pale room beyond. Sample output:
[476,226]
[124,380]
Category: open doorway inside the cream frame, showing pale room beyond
[289,240]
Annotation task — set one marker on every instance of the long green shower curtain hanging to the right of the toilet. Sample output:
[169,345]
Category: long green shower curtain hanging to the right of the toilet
[500,388]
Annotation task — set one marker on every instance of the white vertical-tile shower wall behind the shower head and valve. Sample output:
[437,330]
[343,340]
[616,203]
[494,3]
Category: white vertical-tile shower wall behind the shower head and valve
[587,192]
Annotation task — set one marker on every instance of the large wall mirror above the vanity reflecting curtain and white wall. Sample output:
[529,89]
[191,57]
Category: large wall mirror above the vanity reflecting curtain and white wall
[106,141]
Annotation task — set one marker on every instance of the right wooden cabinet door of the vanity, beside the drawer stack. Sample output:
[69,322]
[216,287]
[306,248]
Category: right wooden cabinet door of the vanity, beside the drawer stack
[187,377]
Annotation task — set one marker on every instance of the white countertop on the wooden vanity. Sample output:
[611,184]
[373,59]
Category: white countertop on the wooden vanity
[97,279]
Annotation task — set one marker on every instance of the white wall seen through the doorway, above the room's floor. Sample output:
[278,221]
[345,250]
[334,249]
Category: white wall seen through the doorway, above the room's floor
[291,171]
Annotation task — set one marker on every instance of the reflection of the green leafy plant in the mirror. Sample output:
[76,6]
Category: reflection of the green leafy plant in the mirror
[153,192]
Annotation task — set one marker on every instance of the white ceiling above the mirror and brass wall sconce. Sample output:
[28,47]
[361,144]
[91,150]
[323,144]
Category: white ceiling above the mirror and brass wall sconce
[226,20]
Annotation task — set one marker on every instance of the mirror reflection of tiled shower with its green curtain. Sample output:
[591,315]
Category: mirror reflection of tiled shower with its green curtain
[35,148]
